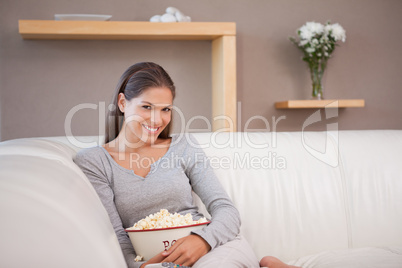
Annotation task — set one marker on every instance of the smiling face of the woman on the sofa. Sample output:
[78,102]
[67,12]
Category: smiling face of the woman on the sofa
[147,115]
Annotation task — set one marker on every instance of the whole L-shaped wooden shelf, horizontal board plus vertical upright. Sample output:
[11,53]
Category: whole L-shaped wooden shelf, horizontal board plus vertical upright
[222,34]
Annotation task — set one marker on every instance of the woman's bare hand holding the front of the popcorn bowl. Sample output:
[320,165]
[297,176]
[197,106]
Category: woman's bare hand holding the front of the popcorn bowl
[187,250]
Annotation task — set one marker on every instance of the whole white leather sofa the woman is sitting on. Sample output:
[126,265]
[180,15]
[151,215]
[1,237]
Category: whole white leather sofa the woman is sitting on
[313,199]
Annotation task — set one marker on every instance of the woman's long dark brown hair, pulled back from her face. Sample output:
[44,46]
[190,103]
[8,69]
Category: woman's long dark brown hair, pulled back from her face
[134,81]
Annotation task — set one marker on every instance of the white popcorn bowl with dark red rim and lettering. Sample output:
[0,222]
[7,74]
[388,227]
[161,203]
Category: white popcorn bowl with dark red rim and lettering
[148,243]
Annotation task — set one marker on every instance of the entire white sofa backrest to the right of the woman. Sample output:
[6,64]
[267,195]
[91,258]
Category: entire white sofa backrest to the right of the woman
[312,191]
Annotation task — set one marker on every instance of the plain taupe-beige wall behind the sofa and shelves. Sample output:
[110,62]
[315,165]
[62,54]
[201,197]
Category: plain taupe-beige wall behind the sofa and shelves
[41,81]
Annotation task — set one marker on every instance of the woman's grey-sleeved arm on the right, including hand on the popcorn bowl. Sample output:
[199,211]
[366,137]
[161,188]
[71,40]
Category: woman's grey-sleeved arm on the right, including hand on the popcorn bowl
[225,222]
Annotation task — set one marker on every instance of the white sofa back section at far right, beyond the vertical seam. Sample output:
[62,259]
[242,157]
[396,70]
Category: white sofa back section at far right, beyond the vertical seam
[372,173]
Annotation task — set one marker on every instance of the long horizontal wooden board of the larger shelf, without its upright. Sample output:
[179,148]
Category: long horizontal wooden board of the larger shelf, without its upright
[124,30]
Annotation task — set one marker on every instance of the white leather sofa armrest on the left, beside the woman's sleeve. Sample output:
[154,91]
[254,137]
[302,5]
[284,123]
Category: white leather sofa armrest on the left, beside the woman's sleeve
[51,215]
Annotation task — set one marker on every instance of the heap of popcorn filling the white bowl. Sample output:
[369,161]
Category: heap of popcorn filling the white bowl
[164,219]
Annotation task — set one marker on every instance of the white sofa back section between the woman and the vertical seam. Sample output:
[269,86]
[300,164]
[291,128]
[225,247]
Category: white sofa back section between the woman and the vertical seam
[291,203]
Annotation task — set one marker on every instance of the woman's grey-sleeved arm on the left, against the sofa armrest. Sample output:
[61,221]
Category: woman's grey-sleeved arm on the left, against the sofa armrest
[93,168]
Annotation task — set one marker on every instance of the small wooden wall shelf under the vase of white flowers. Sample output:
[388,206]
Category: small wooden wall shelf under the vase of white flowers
[308,104]
